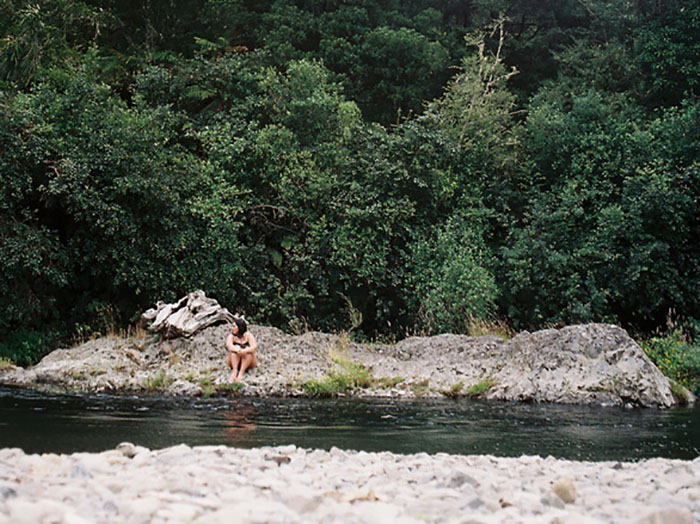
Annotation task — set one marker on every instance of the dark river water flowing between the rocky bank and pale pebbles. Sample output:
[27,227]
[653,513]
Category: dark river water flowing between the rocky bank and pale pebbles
[64,424]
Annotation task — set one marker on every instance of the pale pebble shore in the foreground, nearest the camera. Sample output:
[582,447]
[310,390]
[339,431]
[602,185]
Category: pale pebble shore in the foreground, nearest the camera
[217,484]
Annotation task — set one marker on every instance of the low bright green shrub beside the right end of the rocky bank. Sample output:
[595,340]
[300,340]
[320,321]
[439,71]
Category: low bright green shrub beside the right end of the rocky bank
[677,357]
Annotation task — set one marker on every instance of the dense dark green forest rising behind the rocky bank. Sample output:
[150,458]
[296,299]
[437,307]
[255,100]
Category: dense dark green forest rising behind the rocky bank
[391,167]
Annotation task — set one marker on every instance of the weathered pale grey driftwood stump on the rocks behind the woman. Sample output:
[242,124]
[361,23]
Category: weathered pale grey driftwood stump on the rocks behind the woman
[187,316]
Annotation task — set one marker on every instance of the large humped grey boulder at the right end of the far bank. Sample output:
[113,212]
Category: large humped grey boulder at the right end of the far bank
[592,363]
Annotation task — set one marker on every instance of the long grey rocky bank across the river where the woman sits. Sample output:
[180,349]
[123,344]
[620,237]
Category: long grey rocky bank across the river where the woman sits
[587,364]
